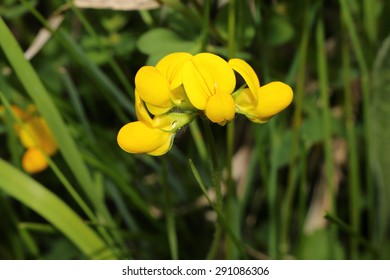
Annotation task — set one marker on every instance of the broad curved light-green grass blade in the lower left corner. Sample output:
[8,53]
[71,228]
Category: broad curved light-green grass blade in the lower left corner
[35,196]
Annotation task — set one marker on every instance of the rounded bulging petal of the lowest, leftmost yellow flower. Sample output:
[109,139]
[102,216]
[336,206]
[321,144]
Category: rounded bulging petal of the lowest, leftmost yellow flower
[137,137]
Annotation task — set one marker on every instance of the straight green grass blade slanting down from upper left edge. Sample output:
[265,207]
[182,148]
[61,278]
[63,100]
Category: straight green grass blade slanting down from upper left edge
[34,87]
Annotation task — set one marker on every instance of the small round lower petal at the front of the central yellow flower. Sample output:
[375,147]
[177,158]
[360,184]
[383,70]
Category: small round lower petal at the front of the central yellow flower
[220,108]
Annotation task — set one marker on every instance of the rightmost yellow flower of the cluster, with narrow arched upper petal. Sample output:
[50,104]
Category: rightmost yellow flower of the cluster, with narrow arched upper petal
[260,103]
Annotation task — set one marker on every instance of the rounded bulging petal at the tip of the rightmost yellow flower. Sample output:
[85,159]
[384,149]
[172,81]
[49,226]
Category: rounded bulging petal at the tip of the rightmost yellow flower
[272,99]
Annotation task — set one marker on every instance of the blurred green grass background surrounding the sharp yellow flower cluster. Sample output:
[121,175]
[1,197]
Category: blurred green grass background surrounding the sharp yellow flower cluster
[312,183]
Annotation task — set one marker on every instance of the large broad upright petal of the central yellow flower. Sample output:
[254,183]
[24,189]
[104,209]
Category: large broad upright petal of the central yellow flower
[205,75]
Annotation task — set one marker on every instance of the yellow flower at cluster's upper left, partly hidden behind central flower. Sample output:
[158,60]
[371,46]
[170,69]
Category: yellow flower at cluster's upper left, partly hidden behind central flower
[160,87]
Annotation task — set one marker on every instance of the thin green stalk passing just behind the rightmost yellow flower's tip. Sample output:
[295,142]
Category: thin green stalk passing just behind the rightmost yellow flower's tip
[297,120]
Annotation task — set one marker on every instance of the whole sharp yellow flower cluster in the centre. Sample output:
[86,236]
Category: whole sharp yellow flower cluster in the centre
[181,86]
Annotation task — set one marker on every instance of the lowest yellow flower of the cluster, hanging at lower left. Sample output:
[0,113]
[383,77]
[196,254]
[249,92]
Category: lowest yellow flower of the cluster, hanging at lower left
[151,136]
